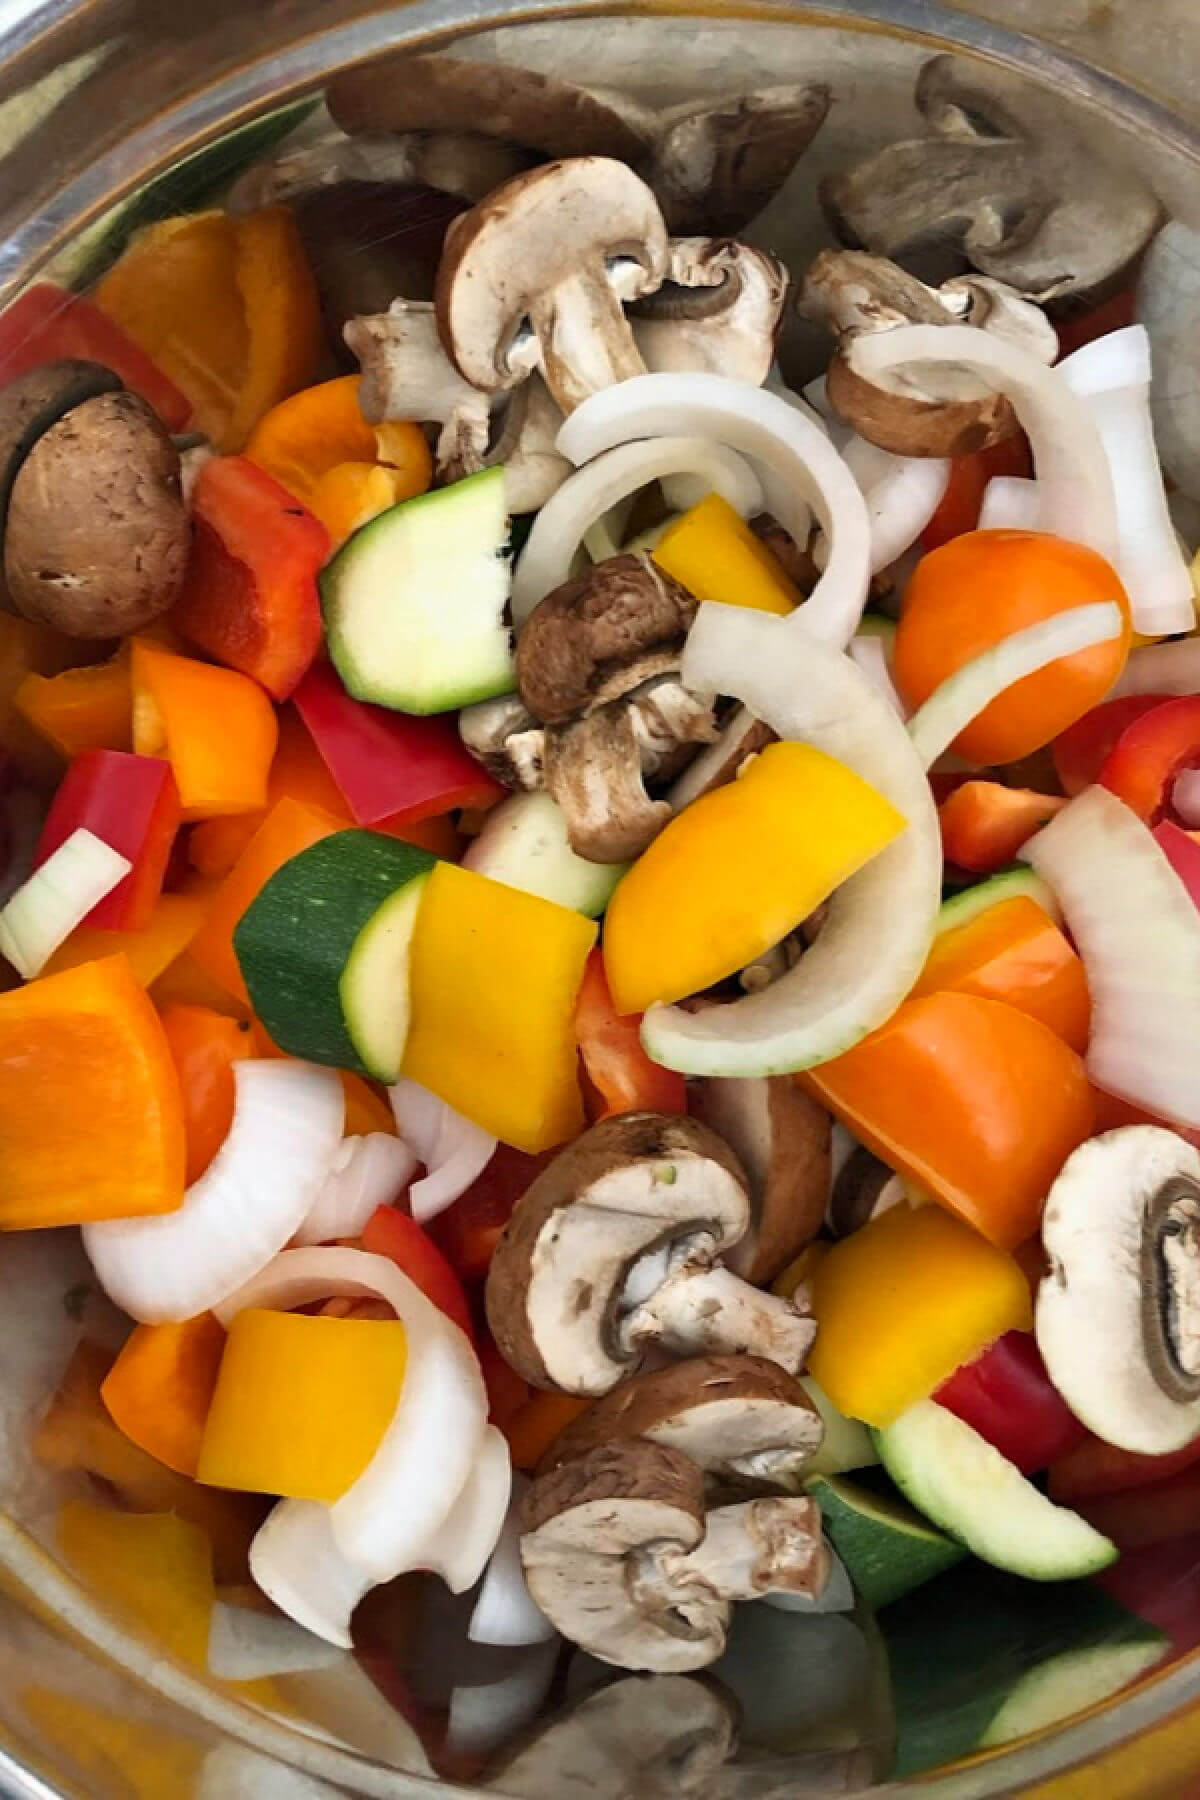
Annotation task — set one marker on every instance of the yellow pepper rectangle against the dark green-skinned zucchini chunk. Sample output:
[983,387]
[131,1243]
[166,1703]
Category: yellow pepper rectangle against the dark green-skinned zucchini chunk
[494,976]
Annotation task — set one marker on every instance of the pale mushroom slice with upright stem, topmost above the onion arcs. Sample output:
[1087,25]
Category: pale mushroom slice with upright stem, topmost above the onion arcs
[537,274]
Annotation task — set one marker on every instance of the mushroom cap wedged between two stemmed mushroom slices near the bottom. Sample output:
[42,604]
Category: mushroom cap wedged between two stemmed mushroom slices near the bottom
[737,1417]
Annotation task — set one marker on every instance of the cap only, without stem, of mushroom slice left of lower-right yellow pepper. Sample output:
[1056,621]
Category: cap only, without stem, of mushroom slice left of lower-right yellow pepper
[629,1185]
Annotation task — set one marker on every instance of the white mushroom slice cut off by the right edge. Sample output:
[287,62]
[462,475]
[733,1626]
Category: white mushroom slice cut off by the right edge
[1118,1315]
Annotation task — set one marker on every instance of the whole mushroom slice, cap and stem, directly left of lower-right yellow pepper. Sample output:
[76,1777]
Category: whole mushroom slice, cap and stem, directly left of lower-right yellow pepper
[616,1248]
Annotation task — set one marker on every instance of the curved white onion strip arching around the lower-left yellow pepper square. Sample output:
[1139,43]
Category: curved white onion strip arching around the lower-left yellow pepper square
[390,1516]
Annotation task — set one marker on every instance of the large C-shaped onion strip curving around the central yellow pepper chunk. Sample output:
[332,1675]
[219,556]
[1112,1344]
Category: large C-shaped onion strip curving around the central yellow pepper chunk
[881,922]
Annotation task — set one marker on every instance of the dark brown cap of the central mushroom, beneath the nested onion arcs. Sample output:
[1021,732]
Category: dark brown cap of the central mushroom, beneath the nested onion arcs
[600,636]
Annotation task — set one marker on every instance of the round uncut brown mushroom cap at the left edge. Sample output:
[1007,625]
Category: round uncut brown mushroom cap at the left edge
[98,534]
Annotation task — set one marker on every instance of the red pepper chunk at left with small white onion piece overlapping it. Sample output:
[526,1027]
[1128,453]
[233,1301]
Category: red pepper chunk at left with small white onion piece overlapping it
[132,804]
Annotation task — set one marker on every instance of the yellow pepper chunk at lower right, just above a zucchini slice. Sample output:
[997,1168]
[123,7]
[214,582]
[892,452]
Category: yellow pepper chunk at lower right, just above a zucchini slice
[902,1304]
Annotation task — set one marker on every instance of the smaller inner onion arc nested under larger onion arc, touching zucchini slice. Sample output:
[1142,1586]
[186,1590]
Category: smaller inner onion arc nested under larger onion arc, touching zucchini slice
[591,492]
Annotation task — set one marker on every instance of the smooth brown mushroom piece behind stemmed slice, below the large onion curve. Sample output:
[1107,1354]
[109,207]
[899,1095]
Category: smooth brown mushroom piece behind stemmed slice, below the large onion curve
[782,1138]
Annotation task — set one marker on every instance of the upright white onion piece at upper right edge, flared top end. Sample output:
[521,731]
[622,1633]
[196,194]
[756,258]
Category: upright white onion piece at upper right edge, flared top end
[1111,375]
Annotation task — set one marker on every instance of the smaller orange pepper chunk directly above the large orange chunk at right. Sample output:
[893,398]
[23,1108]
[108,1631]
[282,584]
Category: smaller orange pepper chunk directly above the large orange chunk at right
[1014,953]
